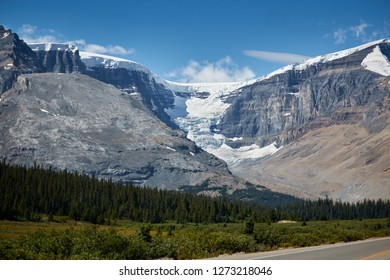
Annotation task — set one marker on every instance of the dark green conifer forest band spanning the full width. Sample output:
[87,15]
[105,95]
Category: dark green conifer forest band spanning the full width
[29,192]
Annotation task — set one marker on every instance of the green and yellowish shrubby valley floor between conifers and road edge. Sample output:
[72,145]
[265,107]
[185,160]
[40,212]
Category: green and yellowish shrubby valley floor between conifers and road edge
[69,239]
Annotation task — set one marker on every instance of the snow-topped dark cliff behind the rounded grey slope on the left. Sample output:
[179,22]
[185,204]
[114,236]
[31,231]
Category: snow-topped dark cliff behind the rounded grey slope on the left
[130,77]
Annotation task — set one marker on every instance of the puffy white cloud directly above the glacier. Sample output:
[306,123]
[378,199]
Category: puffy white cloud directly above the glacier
[224,70]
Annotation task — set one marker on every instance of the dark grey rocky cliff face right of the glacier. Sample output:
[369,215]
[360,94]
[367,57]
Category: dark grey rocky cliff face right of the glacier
[275,109]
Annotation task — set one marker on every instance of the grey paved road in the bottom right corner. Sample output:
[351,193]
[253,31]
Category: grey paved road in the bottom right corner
[371,249]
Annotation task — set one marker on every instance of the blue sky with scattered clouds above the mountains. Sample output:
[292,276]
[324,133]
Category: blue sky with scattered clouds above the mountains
[199,40]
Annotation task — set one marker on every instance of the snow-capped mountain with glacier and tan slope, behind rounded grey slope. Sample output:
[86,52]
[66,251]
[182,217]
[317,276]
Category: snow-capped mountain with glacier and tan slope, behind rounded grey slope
[270,130]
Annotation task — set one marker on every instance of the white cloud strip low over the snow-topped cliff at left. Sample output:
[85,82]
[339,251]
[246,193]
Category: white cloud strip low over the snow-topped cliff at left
[31,34]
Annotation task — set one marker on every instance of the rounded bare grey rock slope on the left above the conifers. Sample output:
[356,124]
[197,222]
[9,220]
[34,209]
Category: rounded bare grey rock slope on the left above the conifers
[73,121]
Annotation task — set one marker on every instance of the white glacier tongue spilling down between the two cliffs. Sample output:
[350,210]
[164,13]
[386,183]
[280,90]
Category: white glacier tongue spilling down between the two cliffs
[200,108]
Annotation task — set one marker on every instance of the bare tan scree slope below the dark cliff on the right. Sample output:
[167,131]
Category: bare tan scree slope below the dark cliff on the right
[344,161]
